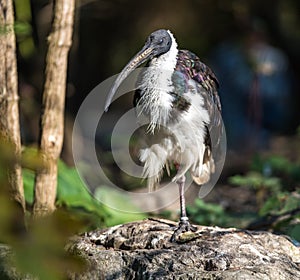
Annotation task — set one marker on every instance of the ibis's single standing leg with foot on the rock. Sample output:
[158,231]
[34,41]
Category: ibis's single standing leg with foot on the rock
[184,224]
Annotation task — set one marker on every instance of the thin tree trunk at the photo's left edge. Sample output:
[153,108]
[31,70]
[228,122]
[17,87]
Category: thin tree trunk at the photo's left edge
[9,111]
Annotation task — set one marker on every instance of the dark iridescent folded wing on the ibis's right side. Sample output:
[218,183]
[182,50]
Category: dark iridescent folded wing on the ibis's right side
[192,68]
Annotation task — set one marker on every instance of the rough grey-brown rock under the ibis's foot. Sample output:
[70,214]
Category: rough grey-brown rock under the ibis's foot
[142,250]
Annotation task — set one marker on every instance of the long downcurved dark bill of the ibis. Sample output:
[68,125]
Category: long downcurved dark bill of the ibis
[135,62]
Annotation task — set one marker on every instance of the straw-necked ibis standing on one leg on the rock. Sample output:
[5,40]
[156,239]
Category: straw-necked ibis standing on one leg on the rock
[178,94]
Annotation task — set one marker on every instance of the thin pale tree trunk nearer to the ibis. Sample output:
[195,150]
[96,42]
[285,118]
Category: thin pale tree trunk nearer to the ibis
[52,119]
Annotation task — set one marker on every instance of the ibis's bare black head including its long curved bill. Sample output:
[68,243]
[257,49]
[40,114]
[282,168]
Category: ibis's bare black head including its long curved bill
[158,43]
